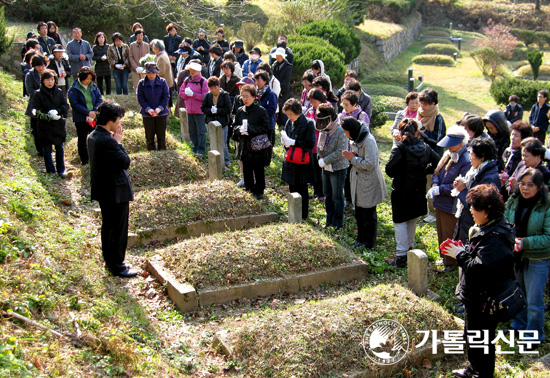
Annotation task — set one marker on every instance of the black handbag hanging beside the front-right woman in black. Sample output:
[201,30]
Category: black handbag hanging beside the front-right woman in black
[509,303]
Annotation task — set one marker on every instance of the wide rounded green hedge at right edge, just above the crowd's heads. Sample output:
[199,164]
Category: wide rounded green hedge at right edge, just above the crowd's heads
[526,90]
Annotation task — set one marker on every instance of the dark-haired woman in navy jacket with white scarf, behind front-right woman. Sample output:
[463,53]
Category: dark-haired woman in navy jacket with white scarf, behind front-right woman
[483,154]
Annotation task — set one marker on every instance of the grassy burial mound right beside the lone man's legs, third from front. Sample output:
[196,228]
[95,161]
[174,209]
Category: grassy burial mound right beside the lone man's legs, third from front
[196,202]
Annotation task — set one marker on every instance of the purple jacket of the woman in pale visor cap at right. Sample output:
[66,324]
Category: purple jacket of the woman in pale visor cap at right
[444,201]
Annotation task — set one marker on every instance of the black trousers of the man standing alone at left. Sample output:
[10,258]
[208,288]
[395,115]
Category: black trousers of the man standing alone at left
[114,234]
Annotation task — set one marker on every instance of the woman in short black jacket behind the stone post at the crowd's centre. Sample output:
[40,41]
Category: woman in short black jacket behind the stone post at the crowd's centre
[216,106]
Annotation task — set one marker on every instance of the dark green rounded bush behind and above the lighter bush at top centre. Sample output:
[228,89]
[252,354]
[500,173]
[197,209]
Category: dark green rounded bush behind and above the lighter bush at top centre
[337,33]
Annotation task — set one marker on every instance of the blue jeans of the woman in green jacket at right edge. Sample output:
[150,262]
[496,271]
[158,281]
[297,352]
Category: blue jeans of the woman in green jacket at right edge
[532,279]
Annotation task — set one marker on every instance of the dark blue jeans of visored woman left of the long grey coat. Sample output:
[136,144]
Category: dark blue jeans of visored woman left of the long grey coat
[333,189]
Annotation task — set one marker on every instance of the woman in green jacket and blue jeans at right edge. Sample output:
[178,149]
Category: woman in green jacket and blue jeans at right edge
[529,210]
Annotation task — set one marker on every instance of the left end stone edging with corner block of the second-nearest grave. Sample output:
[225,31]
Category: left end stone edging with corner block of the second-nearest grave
[183,295]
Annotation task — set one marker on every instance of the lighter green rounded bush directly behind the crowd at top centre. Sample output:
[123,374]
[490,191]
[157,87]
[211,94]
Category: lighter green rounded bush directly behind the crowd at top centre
[306,53]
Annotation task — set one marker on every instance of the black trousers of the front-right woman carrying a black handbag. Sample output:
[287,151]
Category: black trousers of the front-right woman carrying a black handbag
[475,319]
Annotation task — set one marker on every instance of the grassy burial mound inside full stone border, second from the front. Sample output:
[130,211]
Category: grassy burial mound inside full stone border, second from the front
[247,257]
